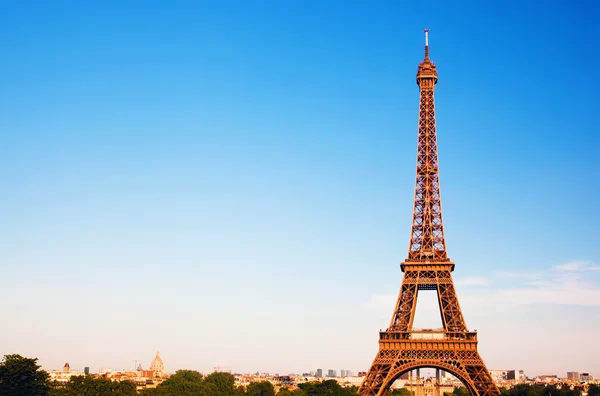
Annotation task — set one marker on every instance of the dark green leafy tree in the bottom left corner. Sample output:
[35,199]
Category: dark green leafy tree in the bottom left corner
[21,376]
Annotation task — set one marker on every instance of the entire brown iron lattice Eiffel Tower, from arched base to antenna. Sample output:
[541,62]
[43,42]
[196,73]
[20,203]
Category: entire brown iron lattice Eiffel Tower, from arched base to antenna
[401,347]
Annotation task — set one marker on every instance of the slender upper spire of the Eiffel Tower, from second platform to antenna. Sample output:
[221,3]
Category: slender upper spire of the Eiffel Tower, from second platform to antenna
[427,242]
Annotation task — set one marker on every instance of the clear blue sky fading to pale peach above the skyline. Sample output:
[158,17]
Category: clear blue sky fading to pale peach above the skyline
[231,182]
